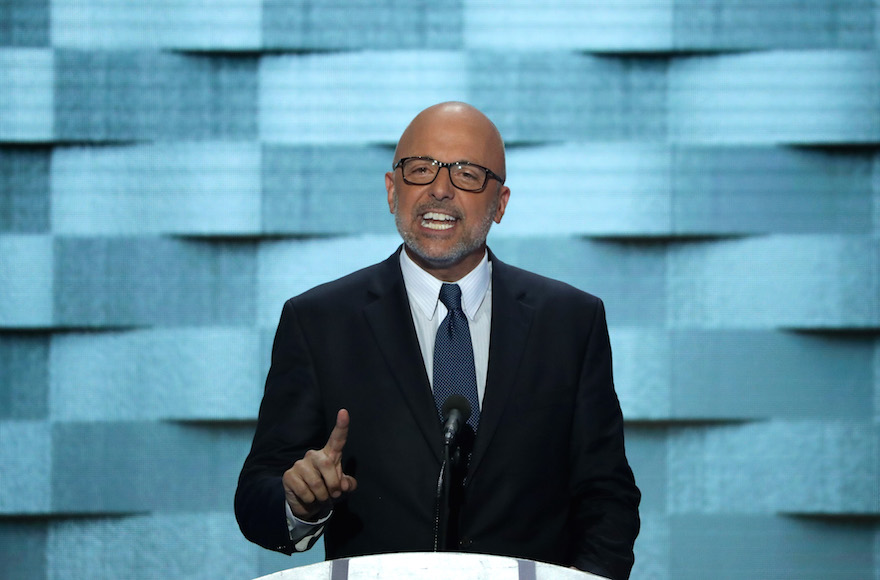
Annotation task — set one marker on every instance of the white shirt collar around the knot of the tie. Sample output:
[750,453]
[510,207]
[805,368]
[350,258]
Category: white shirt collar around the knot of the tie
[423,289]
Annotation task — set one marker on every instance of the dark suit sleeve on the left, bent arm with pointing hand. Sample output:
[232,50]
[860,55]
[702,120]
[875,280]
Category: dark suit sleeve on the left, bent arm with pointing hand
[290,422]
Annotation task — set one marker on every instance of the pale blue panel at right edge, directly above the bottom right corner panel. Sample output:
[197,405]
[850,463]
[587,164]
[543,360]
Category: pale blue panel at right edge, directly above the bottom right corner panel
[808,467]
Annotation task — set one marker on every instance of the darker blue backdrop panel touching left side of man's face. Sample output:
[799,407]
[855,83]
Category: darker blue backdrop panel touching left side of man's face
[326,190]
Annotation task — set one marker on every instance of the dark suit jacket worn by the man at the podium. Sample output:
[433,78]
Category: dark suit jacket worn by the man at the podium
[548,479]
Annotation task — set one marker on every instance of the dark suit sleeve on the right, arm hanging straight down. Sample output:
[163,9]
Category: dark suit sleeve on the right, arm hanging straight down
[605,518]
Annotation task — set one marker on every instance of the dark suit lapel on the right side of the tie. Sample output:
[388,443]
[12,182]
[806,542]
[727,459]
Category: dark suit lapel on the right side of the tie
[511,320]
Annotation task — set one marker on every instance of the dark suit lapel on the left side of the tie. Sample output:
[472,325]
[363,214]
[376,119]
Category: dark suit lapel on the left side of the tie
[388,314]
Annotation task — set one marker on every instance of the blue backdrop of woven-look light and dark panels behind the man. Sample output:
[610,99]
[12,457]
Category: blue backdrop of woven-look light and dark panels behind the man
[171,172]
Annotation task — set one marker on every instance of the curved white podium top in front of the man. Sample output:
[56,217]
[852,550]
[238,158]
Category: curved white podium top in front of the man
[430,565]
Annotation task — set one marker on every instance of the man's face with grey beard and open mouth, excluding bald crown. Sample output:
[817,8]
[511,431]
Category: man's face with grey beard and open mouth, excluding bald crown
[443,227]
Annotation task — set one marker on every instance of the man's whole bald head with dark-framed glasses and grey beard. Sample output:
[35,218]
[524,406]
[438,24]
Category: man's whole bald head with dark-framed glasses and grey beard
[443,226]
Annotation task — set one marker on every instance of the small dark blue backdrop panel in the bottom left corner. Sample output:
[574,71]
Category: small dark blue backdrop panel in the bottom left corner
[23,549]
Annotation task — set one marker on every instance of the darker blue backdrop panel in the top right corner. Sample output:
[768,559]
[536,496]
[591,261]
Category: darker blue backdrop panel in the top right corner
[744,24]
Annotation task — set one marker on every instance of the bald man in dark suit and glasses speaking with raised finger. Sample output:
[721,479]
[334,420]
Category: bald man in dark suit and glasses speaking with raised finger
[349,441]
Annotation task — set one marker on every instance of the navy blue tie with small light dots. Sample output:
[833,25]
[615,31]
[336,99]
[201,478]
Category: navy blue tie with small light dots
[454,371]
